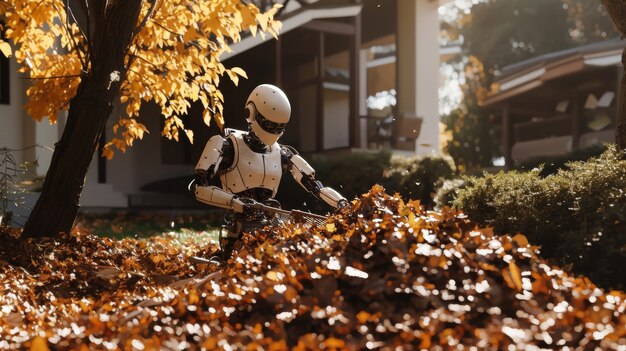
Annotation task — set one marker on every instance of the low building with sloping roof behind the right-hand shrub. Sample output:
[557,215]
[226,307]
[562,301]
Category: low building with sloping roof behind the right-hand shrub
[560,102]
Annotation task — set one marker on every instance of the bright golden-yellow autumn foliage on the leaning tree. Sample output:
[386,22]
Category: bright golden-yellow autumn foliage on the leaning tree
[173,59]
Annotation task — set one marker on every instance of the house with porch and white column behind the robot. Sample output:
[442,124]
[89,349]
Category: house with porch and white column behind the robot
[332,57]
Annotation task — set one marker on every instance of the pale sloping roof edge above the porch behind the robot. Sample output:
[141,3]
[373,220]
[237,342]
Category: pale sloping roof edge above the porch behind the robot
[292,21]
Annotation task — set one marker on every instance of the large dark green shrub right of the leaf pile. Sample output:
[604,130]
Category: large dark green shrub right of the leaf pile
[577,216]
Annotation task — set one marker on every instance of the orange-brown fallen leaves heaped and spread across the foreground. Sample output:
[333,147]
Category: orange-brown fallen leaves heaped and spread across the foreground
[380,275]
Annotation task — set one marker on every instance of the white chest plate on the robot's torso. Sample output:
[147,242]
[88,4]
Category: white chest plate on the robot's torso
[250,169]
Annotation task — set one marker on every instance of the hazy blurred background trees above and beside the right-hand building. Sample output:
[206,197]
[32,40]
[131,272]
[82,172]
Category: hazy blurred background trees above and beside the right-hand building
[496,33]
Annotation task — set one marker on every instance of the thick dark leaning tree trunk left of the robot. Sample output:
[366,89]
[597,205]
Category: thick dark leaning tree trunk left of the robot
[89,111]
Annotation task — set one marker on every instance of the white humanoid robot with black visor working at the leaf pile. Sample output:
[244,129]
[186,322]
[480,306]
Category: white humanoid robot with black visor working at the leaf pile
[250,165]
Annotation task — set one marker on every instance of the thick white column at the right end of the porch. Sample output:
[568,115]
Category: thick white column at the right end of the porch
[418,68]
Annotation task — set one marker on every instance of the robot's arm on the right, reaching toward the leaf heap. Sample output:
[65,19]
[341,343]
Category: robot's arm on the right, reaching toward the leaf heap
[304,174]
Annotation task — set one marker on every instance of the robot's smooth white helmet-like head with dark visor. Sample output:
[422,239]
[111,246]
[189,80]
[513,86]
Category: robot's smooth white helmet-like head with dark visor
[268,111]
